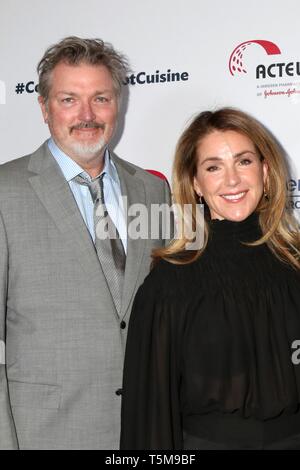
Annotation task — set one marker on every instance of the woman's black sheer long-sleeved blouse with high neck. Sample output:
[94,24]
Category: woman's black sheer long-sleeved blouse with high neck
[213,337]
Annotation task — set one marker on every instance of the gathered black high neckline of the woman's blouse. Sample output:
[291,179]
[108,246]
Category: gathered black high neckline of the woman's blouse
[247,230]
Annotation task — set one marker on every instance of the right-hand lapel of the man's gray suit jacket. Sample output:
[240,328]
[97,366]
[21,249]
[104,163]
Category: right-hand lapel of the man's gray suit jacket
[133,188]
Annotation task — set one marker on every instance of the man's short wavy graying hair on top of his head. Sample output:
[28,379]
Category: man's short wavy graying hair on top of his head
[74,51]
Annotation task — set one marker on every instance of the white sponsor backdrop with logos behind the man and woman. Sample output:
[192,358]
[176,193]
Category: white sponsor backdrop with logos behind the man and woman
[186,57]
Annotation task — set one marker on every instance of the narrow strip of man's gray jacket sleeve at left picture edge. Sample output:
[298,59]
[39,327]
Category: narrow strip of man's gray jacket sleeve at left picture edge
[8,438]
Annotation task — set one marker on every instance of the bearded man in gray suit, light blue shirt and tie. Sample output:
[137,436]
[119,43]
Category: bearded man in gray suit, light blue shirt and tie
[66,294]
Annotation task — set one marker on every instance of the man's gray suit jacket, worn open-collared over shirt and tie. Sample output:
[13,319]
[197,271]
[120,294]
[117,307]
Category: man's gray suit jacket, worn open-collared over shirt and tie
[64,343]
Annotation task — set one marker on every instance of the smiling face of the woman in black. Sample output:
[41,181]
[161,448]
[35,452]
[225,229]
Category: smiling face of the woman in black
[230,175]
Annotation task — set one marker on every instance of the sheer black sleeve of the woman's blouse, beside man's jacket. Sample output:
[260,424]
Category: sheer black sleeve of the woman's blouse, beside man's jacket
[150,404]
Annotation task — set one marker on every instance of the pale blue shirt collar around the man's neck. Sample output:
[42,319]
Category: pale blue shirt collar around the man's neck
[70,168]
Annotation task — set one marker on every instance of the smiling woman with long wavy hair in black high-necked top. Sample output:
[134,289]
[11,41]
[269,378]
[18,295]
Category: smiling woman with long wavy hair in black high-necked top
[213,350]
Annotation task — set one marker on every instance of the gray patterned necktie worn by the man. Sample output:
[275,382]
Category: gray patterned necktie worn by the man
[108,244]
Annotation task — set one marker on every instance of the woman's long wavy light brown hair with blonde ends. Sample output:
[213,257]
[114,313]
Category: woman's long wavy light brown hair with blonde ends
[279,228]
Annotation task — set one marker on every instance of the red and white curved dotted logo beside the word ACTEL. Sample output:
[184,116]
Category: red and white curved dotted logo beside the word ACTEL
[236,61]
